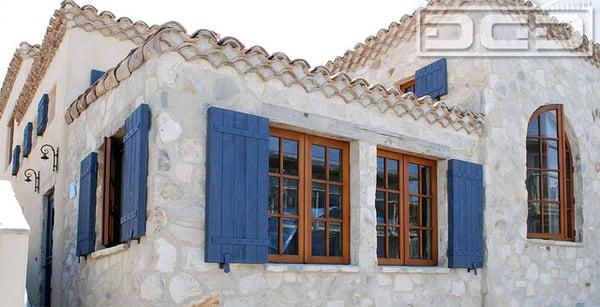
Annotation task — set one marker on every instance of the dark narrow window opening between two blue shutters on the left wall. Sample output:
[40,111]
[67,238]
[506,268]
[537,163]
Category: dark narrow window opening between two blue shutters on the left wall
[113,185]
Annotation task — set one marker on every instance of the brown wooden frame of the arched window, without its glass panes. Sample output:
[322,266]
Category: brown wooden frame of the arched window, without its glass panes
[561,137]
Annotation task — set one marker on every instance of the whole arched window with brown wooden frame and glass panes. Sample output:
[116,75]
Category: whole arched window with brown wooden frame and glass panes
[549,177]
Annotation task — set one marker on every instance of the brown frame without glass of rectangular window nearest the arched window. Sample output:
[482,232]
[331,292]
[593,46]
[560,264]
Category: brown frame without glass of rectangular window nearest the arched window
[403,163]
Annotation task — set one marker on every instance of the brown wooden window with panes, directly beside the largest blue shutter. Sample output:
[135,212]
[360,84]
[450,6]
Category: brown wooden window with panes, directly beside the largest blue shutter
[309,199]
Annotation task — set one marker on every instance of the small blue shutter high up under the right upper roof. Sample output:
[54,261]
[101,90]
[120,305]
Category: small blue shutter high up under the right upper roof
[432,80]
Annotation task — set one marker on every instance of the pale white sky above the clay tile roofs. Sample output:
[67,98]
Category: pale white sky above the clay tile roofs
[314,30]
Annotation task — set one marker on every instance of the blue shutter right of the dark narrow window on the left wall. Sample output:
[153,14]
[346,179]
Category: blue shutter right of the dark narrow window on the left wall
[135,189]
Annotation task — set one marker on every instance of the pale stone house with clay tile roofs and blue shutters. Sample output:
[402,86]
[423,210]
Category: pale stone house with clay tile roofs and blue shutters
[191,170]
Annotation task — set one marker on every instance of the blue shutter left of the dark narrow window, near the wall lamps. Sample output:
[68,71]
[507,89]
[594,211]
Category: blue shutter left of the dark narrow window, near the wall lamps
[86,221]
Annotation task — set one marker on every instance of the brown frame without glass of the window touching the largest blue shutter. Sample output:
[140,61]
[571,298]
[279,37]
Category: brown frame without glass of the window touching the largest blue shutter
[304,216]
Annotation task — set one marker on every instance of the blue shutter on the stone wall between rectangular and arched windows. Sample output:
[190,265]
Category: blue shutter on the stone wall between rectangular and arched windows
[465,215]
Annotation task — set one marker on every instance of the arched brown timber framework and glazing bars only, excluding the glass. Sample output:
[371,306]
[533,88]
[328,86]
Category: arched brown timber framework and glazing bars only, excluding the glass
[565,174]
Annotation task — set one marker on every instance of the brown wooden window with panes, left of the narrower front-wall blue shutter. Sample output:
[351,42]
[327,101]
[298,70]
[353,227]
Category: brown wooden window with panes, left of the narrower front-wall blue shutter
[406,209]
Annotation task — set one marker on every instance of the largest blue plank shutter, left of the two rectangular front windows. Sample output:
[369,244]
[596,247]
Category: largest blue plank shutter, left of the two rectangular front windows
[237,188]
